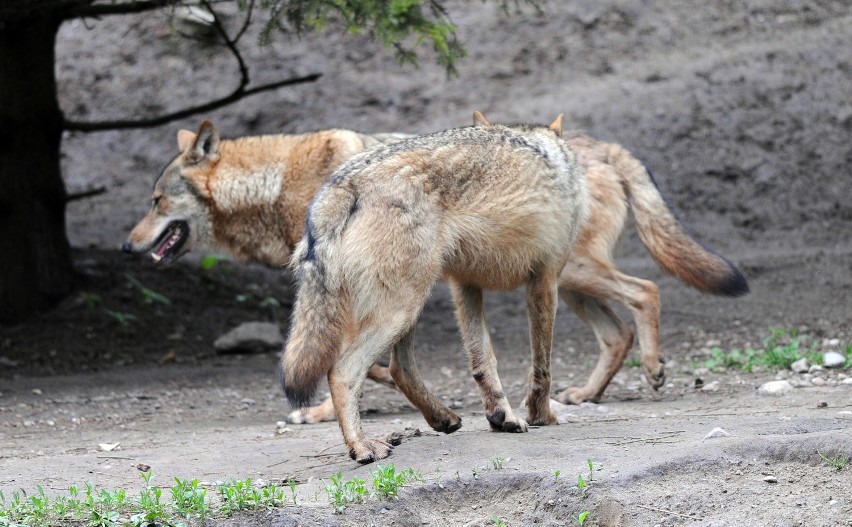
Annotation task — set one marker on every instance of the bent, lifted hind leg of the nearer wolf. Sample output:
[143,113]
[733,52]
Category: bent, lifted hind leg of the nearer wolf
[404,371]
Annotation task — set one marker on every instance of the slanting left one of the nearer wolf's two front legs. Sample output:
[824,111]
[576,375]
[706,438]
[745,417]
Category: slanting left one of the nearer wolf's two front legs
[483,365]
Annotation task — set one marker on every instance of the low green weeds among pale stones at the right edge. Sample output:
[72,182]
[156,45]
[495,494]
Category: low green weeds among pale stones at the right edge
[780,349]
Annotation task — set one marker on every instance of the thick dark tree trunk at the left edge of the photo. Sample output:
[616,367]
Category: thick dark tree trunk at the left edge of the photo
[35,259]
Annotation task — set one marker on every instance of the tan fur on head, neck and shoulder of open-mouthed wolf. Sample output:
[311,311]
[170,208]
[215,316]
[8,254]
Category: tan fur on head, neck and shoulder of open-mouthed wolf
[246,197]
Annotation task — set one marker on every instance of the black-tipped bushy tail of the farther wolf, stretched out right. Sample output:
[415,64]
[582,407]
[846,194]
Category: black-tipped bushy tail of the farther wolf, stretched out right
[674,250]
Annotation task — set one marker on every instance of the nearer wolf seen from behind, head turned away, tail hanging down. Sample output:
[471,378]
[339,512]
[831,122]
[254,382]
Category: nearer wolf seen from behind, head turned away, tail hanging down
[483,207]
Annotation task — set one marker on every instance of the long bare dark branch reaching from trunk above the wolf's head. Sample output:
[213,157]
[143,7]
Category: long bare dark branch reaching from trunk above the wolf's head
[239,93]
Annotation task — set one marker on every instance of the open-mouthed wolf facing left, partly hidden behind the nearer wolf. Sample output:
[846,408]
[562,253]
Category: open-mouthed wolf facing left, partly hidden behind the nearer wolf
[217,195]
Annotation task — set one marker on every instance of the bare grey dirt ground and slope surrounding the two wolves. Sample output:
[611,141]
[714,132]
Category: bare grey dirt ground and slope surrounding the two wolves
[743,113]
